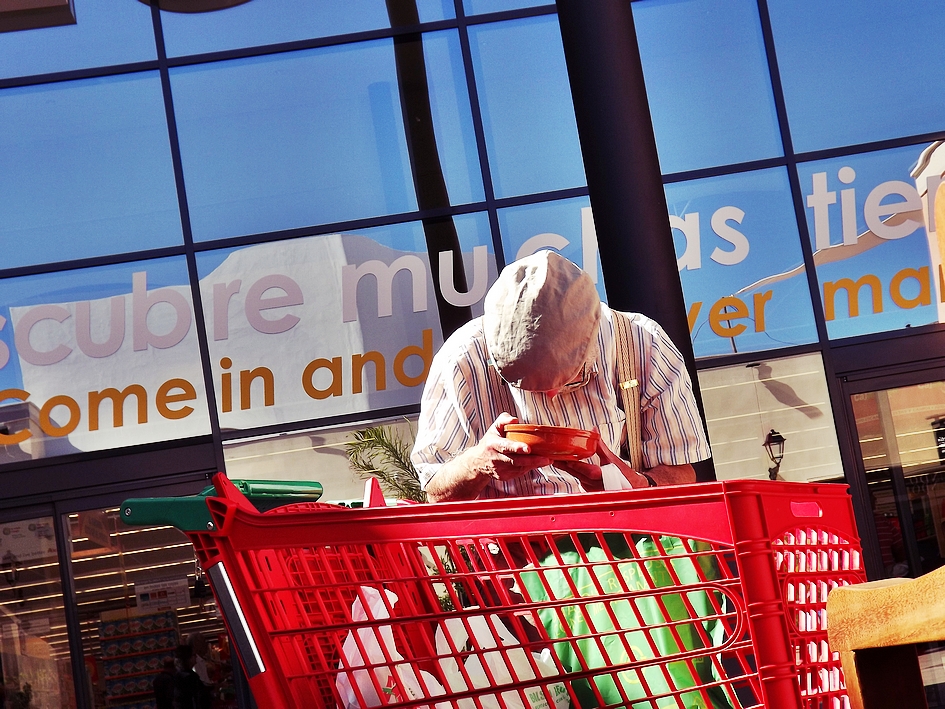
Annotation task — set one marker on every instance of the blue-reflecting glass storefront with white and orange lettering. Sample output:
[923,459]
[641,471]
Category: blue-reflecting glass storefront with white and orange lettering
[252,232]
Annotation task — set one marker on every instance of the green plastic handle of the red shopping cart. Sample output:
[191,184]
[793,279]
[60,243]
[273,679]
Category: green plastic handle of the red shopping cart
[190,513]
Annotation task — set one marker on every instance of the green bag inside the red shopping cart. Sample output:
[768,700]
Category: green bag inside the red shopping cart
[597,619]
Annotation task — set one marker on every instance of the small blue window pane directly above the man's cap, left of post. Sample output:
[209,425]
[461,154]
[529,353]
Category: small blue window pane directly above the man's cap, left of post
[566,225]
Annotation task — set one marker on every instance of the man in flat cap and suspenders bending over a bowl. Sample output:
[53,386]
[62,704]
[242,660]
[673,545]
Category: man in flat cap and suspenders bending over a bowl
[544,352]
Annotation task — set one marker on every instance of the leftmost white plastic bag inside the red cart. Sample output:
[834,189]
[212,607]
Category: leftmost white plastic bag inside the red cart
[403,684]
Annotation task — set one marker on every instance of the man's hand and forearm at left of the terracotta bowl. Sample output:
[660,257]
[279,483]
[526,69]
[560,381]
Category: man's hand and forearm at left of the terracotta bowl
[494,457]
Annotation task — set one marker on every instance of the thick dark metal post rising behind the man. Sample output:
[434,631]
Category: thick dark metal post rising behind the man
[623,172]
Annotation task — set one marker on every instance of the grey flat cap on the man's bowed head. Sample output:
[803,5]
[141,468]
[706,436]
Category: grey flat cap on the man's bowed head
[540,320]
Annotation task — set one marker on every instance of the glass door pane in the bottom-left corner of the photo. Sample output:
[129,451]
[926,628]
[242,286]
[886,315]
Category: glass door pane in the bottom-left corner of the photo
[34,646]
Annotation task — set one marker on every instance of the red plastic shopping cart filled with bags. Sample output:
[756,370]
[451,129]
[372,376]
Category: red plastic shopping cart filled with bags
[710,595]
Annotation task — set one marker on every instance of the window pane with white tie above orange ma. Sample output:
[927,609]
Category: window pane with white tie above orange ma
[877,265]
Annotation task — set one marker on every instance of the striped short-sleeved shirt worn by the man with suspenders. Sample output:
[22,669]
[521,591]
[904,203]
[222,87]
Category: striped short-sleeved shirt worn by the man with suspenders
[463,396]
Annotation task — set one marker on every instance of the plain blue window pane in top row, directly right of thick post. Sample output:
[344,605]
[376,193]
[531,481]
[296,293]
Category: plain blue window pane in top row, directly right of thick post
[707,82]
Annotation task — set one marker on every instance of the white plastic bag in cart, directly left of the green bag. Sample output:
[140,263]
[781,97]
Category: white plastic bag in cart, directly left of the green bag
[506,666]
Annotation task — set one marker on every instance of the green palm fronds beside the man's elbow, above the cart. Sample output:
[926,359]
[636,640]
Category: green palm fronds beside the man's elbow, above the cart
[381,452]
